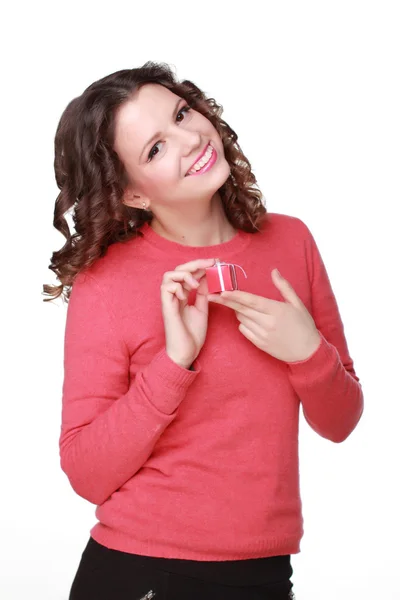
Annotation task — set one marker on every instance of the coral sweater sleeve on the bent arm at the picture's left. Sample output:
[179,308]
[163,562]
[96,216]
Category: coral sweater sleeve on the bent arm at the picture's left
[110,424]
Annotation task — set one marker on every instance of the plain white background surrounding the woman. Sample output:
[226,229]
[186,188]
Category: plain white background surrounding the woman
[312,89]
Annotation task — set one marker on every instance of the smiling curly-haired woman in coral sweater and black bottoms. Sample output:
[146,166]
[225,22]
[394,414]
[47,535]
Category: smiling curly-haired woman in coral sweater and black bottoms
[180,407]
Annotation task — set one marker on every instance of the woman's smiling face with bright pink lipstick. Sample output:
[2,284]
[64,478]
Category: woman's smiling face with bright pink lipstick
[159,139]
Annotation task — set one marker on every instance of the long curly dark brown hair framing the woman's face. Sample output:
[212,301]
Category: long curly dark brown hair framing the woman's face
[92,179]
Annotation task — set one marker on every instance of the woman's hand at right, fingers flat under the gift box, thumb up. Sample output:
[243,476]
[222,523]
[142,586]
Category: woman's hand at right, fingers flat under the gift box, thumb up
[285,330]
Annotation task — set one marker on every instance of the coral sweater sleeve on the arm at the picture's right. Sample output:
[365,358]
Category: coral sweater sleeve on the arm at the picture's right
[326,383]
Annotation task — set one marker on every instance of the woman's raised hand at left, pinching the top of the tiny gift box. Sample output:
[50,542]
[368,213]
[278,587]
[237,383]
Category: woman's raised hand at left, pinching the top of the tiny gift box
[185,326]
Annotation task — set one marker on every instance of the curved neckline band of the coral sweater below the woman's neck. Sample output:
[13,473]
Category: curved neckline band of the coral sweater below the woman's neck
[237,243]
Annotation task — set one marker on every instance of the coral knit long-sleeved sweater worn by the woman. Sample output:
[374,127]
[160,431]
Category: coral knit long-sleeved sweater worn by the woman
[202,464]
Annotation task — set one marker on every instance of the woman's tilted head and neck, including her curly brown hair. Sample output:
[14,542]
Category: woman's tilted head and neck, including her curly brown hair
[126,151]
